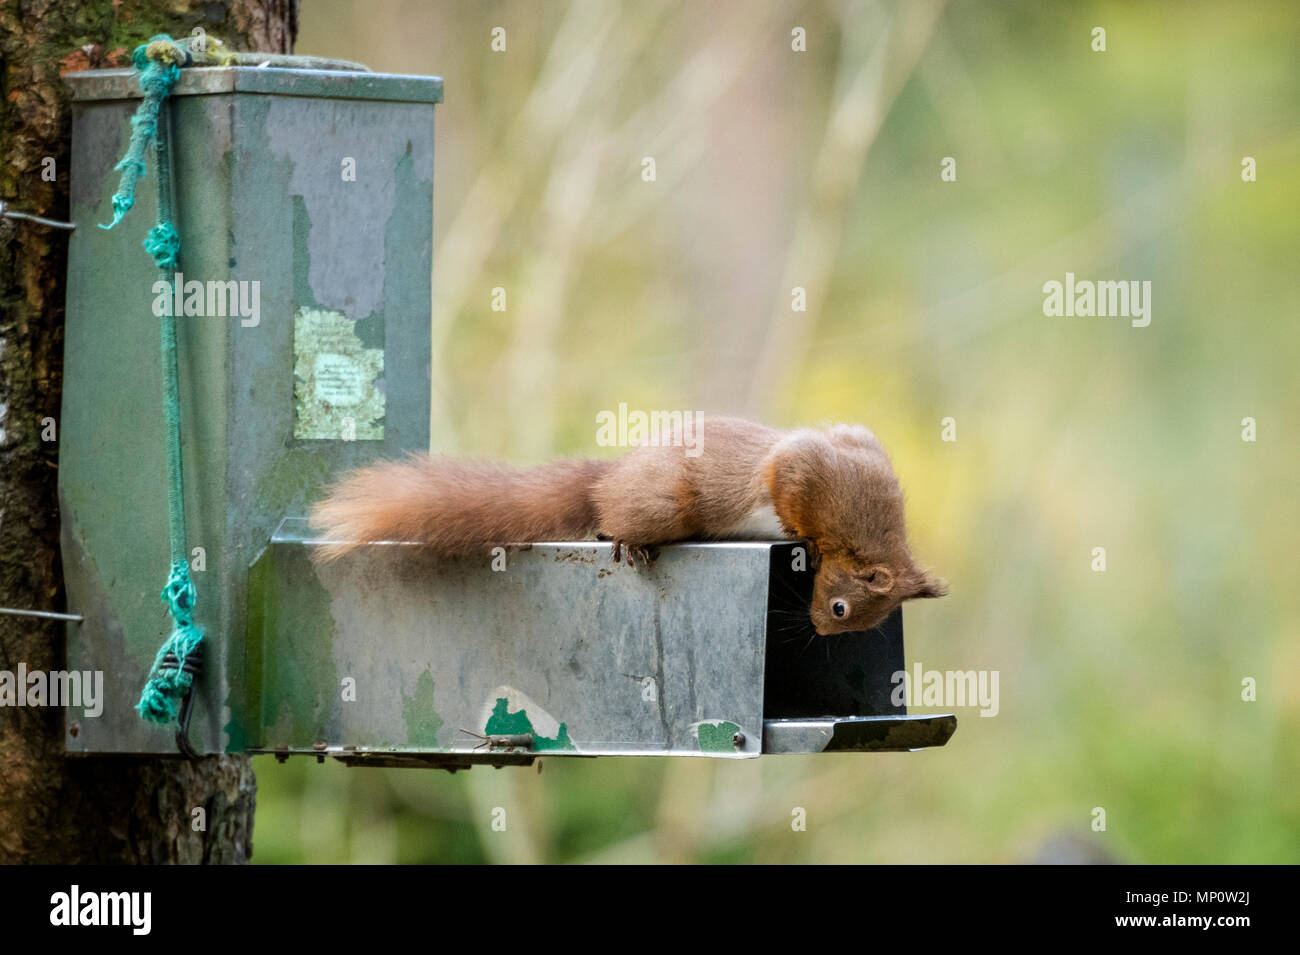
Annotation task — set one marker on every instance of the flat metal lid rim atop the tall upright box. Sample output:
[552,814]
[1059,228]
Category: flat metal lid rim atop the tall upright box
[206,81]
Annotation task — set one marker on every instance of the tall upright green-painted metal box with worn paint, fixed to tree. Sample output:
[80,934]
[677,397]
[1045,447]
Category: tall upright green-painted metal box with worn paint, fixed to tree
[305,202]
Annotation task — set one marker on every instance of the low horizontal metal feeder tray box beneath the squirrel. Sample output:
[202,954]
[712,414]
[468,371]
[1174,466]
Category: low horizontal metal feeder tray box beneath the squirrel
[392,657]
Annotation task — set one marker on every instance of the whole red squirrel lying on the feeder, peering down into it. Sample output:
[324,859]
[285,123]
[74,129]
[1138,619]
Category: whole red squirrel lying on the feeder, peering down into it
[834,489]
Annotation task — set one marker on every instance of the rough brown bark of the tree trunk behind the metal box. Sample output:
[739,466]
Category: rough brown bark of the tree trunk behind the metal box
[85,810]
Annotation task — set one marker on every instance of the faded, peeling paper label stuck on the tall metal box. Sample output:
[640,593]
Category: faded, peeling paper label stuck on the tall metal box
[336,390]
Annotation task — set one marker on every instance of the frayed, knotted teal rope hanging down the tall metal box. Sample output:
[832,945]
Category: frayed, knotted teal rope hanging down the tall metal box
[158,66]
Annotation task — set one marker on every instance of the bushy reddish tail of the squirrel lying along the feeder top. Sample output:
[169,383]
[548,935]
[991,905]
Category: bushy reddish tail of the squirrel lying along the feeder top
[458,506]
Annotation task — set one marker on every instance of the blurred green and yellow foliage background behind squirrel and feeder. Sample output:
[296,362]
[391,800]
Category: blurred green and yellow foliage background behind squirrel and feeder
[822,170]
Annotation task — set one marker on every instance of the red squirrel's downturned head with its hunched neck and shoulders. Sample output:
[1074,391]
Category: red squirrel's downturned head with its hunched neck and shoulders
[838,490]
